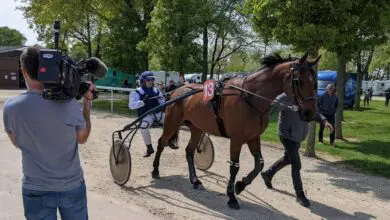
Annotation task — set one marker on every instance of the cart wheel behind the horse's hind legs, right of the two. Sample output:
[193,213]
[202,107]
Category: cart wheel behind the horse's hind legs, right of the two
[204,154]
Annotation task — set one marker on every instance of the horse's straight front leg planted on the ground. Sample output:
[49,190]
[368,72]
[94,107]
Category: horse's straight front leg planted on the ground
[235,150]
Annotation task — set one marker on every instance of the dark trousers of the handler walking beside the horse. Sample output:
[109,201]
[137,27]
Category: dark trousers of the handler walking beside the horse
[291,156]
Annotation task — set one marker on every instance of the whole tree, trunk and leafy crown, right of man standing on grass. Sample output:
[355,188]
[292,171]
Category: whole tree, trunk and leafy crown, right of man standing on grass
[356,32]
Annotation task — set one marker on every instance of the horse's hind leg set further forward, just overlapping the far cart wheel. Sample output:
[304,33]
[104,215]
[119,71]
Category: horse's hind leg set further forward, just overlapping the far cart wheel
[196,135]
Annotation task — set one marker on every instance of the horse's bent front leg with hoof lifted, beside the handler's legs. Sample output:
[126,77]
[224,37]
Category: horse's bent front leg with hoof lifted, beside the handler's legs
[254,147]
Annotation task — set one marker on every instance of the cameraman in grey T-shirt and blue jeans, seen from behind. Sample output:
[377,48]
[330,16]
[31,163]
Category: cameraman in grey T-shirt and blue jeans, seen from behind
[48,133]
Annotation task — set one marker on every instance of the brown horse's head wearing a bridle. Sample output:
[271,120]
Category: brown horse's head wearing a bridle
[301,86]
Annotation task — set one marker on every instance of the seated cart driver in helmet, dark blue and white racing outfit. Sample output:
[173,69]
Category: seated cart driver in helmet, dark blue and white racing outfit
[145,98]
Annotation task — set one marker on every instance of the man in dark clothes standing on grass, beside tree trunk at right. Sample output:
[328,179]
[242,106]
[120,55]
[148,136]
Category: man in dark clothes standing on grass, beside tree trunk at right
[327,105]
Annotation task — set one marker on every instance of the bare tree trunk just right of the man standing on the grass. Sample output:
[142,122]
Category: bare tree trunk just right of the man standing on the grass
[341,62]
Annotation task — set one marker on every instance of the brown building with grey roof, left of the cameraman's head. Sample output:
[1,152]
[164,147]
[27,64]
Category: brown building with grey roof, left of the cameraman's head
[10,74]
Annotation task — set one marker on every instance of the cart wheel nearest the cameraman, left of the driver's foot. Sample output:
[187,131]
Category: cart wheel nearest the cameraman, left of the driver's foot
[121,170]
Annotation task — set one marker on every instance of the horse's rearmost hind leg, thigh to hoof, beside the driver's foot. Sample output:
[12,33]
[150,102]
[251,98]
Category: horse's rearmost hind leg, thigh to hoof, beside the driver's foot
[172,123]
